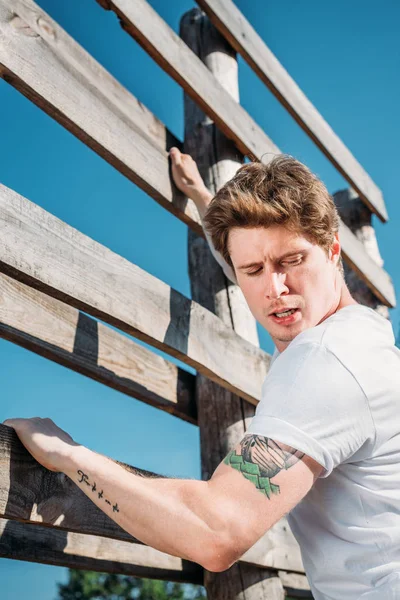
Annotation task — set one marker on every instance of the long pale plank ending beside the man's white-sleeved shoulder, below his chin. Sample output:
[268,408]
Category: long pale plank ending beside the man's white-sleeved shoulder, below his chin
[40,250]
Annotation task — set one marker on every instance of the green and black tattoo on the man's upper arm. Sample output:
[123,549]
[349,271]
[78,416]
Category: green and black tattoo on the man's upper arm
[260,459]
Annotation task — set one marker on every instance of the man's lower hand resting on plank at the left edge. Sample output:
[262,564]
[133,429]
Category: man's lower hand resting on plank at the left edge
[48,444]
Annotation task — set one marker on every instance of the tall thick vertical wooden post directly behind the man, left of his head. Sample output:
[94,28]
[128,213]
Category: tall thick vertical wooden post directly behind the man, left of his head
[222,416]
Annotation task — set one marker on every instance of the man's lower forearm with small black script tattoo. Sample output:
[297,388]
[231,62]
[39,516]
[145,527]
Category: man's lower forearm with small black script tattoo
[178,517]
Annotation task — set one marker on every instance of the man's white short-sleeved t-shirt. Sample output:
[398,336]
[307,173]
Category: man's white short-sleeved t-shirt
[334,394]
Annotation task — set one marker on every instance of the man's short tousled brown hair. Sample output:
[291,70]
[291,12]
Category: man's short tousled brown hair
[282,192]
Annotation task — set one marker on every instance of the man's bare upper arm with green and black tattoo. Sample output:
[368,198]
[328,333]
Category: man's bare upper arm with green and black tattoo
[259,482]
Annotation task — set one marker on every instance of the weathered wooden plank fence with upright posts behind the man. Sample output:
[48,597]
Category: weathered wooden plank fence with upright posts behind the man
[52,275]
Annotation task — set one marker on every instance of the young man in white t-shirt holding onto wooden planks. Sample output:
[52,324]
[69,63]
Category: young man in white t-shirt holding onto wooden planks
[324,444]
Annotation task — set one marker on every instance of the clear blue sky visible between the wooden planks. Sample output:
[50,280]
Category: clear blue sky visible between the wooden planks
[346,58]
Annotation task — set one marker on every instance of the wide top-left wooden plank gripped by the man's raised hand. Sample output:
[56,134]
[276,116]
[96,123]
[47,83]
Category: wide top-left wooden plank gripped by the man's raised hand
[45,64]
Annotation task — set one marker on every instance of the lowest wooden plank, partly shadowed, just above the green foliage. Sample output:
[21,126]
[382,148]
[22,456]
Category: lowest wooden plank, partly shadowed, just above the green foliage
[35,543]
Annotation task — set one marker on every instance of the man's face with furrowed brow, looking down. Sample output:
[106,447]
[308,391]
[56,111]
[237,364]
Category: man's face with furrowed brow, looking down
[280,271]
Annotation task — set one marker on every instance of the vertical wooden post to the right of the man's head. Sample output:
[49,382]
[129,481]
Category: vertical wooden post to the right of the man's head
[358,217]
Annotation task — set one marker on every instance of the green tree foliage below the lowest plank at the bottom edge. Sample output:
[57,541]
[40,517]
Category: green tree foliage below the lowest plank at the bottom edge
[90,585]
